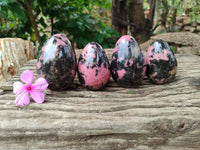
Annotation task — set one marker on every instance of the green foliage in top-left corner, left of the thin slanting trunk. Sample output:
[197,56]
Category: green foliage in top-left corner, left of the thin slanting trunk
[16,21]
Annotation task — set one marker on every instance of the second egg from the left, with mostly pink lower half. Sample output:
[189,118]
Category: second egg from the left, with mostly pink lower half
[93,67]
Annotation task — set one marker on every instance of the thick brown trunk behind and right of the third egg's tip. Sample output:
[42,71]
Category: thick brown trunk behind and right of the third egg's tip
[137,20]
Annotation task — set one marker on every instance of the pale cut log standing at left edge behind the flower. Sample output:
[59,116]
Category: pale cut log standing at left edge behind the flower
[14,52]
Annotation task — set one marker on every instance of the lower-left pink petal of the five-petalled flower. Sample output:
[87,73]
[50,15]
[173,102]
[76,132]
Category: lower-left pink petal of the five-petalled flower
[22,99]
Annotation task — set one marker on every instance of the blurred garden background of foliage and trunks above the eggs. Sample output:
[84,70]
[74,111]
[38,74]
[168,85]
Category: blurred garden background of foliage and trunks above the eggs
[103,21]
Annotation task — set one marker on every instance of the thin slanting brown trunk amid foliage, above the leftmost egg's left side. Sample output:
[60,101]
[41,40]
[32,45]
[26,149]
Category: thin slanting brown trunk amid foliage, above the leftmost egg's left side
[32,18]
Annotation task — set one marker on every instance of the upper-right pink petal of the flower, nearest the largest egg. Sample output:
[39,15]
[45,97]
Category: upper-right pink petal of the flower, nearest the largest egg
[40,84]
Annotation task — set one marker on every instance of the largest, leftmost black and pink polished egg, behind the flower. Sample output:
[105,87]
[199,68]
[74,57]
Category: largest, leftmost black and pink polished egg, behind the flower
[57,62]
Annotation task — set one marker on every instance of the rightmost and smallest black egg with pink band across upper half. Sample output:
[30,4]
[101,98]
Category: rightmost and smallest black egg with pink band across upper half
[161,62]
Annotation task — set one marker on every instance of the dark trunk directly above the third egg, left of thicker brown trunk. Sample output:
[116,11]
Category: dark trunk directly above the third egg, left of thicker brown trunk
[119,16]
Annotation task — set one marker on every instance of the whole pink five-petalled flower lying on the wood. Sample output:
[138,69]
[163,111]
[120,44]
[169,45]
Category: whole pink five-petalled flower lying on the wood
[22,90]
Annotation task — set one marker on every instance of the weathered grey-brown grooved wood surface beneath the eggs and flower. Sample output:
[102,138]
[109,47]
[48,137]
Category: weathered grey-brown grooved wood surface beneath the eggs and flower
[144,117]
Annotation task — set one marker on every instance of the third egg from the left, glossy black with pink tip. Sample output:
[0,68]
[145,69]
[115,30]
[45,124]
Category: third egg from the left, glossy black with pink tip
[127,65]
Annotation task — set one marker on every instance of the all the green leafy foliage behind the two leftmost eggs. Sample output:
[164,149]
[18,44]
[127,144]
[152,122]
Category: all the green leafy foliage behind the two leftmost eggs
[72,17]
